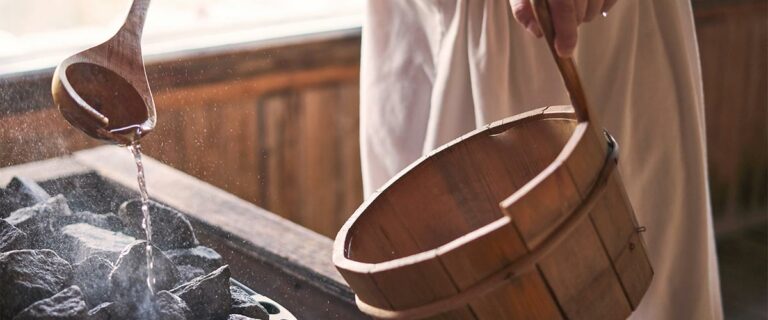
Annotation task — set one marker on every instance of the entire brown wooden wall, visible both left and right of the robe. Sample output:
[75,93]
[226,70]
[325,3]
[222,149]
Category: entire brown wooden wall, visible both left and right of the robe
[277,124]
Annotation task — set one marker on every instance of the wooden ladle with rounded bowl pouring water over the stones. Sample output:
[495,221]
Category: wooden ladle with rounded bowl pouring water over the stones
[103,91]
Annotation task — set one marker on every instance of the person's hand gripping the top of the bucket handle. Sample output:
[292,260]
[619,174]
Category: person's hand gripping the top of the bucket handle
[567,15]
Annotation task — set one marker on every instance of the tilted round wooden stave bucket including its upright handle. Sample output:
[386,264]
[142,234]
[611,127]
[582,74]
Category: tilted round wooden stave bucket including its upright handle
[524,219]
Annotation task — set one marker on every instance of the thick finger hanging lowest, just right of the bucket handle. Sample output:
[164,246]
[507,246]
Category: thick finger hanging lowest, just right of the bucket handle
[564,20]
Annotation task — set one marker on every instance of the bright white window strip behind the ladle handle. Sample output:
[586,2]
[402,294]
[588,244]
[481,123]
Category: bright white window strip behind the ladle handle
[38,34]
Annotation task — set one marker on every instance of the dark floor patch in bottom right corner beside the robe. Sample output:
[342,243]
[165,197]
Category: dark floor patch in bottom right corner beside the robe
[743,258]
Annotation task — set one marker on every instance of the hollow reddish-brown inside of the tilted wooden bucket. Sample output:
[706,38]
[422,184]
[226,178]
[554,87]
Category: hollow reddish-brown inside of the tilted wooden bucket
[457,190]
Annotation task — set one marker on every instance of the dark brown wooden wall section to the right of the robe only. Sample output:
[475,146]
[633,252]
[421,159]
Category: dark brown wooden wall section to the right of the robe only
[733,42]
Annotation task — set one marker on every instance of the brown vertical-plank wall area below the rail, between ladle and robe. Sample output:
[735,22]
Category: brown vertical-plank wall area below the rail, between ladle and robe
[294,152]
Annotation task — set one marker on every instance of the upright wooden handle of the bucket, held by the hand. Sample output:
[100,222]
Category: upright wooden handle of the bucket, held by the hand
[566,65]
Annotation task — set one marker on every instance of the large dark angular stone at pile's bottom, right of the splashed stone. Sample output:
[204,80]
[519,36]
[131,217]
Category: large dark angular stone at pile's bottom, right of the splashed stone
[208,296]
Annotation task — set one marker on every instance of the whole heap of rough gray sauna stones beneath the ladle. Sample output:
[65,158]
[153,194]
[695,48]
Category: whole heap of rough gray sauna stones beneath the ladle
[95,264]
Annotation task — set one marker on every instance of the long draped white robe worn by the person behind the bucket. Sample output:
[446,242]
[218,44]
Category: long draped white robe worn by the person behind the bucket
[433,70]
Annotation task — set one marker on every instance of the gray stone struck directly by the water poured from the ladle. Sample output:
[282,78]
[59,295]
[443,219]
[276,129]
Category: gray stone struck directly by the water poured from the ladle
[129,278]
